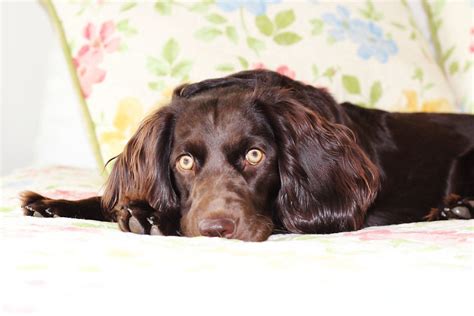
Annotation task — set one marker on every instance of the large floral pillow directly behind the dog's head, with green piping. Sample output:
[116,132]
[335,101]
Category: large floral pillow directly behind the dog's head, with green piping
[128,56]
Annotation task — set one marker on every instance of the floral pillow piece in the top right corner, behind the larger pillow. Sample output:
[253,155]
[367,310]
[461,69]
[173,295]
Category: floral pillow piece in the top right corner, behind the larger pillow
[452,32]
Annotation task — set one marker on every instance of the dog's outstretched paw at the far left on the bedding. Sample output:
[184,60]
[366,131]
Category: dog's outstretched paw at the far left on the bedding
[34,204]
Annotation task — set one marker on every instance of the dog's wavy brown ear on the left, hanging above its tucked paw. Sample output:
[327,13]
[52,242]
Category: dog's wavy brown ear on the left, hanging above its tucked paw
[141,172]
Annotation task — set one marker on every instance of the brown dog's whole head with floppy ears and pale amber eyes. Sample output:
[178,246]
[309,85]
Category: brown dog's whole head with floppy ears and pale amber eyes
[240,156]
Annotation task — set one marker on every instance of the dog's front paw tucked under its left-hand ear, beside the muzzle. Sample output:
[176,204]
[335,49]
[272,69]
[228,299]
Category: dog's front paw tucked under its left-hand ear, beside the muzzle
[139,218]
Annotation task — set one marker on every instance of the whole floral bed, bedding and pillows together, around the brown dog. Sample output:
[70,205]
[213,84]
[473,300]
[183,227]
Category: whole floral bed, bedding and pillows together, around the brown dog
[69,266]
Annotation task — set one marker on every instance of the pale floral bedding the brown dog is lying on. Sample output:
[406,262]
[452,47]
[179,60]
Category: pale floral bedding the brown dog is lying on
[79,267]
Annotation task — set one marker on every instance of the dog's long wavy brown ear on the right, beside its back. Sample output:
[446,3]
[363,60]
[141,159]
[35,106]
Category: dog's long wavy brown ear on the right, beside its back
[327,180]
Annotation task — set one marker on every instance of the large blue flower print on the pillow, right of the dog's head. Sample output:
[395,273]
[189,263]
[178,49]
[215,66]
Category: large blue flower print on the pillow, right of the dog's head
[367,35]
